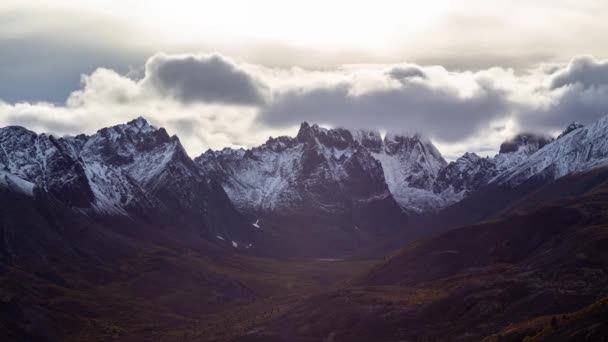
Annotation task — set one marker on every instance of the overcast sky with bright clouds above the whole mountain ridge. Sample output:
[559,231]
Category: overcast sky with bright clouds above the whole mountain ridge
[466,74]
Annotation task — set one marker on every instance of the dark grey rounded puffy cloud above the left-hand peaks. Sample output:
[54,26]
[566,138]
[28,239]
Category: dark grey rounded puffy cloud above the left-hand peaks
[202,78]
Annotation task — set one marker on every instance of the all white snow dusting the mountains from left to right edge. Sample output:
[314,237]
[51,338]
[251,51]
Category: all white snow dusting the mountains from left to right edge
[266,178]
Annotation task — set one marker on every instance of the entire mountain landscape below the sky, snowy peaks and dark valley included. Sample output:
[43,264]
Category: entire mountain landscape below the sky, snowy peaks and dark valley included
[122,235]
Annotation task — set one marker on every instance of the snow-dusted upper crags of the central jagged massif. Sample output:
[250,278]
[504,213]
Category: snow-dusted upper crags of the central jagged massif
[409,163]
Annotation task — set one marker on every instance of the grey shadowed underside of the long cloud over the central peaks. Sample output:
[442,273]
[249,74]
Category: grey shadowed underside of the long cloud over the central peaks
[439,113]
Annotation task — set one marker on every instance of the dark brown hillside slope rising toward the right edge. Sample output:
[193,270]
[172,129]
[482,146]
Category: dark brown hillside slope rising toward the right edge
[502,279]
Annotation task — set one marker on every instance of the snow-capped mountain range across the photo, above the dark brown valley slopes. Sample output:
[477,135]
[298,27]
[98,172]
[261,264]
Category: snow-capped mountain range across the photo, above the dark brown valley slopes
[357,183]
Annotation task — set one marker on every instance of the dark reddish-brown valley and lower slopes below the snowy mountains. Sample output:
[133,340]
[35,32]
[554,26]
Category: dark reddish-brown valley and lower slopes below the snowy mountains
[538,272]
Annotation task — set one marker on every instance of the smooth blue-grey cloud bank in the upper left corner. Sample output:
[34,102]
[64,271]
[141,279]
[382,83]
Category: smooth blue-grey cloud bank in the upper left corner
[44,52]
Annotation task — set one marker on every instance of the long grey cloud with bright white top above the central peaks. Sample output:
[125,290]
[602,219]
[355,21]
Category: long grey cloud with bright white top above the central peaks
[442,105]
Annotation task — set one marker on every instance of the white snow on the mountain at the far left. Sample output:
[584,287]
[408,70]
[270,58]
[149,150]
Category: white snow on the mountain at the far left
[114,185]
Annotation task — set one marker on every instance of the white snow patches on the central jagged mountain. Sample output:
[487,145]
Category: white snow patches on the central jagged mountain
[264,178]
